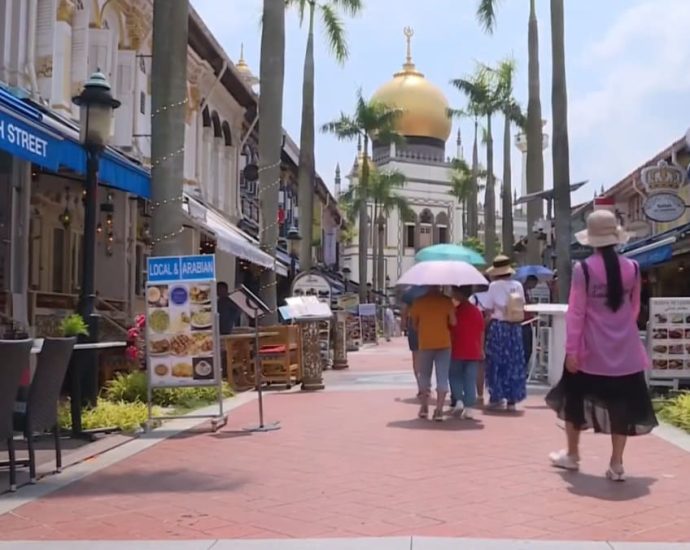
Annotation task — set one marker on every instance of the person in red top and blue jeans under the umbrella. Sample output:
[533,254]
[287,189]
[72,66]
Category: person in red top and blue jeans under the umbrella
[467,352]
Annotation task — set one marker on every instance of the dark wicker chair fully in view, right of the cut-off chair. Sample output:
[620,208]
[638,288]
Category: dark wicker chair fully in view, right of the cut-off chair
[41,414]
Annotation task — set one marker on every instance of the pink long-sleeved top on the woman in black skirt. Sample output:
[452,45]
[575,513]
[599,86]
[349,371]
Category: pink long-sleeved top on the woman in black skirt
[605,342]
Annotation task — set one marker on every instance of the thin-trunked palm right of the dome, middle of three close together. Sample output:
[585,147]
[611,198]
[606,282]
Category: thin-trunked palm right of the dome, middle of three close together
[483,89]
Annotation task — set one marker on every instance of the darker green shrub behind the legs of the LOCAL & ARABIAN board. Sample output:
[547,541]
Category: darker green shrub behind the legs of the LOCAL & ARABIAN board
[131,388]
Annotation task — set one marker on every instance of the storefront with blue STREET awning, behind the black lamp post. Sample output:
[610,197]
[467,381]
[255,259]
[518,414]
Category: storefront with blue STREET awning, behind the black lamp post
[42,168]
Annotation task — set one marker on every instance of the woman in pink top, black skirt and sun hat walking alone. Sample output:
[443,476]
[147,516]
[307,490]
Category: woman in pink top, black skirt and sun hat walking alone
[603,385]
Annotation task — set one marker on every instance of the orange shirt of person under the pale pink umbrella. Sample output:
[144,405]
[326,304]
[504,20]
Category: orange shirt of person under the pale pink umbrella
[430,315]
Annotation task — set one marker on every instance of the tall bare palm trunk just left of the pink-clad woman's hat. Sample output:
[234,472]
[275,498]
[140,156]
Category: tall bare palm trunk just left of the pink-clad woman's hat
[560,151]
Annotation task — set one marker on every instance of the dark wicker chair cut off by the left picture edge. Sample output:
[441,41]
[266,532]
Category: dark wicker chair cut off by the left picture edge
[16,356]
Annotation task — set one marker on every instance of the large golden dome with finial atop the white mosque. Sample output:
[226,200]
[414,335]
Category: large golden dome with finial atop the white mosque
[425,108]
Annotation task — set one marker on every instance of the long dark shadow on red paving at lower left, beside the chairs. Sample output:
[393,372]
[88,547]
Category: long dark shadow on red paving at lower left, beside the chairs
[132,482]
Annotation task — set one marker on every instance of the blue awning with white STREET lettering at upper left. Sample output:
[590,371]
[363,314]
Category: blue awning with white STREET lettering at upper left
[26,133]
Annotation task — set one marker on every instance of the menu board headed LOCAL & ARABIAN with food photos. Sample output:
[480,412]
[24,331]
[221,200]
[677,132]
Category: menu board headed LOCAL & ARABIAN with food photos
[181,322]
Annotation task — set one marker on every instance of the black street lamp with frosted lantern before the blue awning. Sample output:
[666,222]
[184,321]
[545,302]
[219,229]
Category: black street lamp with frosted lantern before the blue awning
[96,105]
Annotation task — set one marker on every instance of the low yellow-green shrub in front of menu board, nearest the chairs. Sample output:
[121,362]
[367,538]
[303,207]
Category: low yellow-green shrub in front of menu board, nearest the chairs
[127,417]
